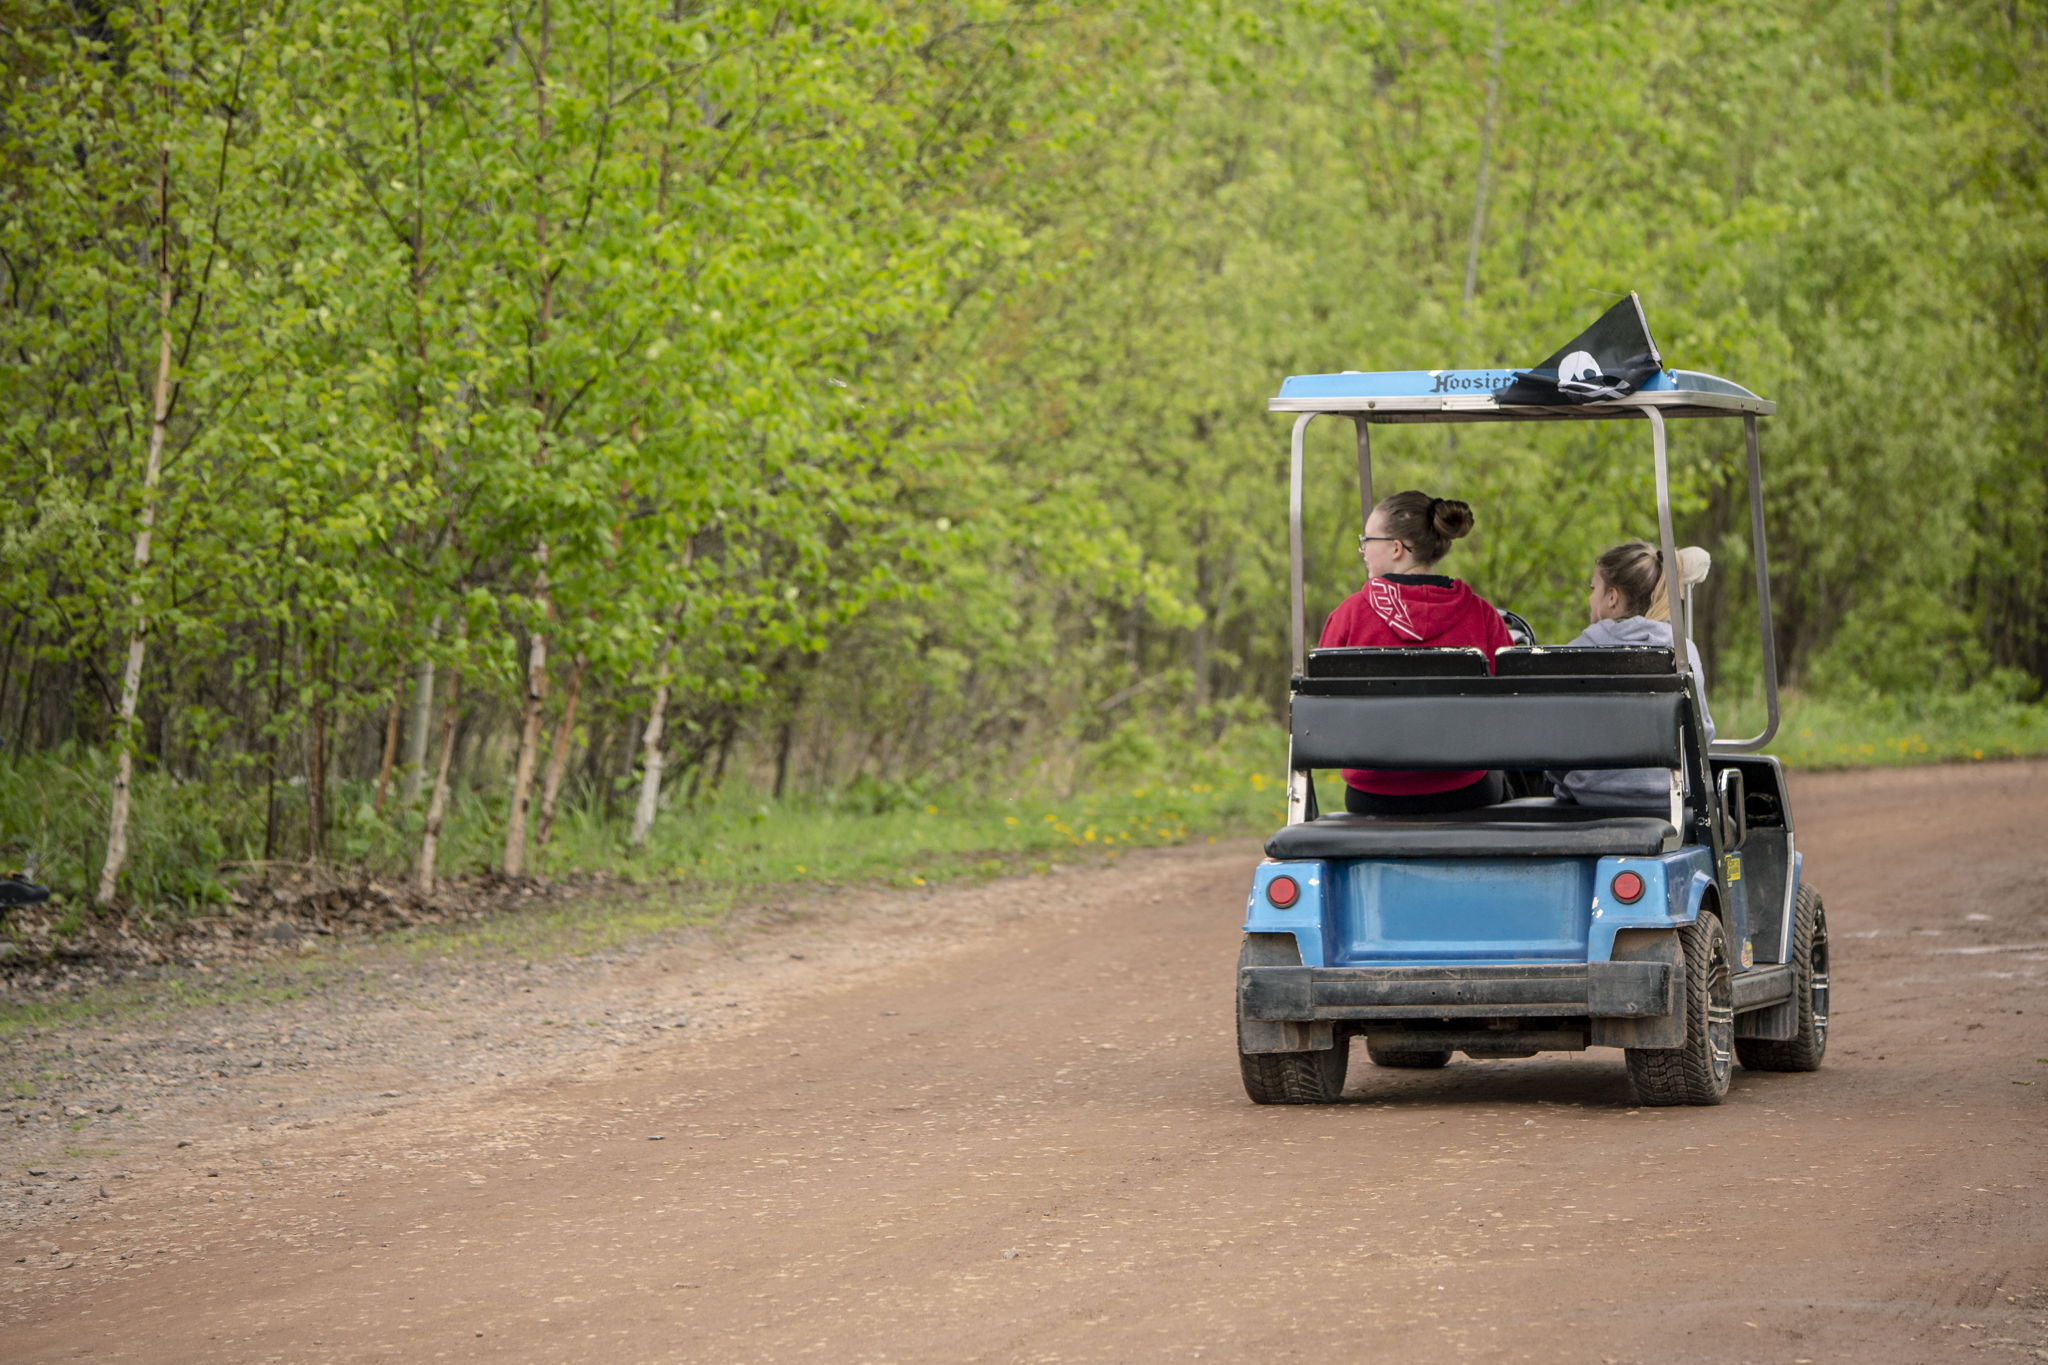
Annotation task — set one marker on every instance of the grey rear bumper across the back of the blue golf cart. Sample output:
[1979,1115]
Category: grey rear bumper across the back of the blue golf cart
[1525,992]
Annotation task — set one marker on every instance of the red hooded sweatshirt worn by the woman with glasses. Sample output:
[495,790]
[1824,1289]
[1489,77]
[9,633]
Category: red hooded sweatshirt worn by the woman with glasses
[1414,611]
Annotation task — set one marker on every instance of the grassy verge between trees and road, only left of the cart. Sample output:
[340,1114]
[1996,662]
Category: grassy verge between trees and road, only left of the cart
[734,850]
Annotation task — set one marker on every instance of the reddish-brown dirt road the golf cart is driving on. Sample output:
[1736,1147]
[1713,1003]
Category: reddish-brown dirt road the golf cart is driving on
[1005,1125]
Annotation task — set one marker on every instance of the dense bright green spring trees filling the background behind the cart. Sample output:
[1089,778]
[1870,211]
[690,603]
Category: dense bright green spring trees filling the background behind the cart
[579,402]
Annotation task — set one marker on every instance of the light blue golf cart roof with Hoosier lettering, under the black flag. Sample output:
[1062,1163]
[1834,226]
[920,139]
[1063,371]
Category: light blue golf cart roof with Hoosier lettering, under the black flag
[1469,396]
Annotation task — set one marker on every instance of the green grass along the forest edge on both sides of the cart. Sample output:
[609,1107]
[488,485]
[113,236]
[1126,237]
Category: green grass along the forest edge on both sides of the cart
[740,848]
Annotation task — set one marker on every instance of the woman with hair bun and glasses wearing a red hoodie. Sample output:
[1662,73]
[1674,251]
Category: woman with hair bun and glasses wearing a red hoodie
[1406,605]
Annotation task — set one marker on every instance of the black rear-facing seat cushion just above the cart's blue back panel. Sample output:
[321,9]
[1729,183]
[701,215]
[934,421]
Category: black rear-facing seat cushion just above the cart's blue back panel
[1531,828]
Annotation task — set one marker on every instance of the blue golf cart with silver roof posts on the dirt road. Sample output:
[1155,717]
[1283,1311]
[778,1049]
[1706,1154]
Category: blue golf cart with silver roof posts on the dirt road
[1680,934]
